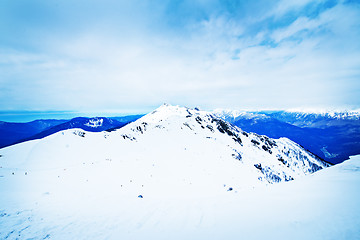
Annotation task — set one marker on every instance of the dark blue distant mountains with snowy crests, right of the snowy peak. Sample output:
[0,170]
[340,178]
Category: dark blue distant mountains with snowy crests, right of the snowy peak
[333,136]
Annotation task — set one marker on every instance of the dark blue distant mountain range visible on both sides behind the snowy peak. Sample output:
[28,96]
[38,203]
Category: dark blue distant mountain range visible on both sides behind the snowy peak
[333,136]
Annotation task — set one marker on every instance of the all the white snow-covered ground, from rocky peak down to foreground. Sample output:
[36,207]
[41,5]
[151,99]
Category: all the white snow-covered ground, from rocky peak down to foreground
[174,174]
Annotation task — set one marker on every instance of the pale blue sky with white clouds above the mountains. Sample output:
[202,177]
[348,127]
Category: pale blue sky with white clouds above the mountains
[113,56]
